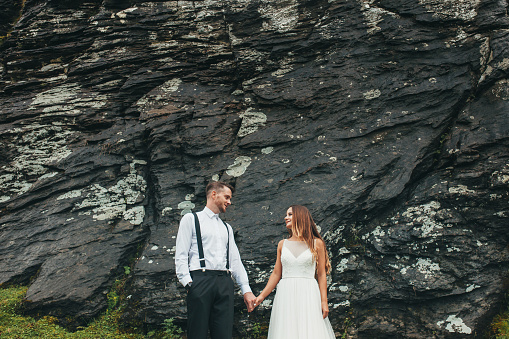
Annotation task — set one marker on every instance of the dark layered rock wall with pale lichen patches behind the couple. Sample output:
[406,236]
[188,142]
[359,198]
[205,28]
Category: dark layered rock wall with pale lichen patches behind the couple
[388,119]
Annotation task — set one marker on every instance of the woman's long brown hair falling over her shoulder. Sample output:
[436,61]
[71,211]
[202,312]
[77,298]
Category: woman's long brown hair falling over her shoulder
[304,227]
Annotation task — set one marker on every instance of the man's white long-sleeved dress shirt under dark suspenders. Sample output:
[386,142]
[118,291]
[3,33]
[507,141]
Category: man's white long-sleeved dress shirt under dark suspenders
[214,240]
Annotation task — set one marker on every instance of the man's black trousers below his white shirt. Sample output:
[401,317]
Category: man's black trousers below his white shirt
[210,305]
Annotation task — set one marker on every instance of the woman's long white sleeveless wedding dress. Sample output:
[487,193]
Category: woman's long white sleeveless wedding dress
[297,311]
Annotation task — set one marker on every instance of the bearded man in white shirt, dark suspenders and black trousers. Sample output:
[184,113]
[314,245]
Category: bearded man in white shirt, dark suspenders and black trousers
[206,257]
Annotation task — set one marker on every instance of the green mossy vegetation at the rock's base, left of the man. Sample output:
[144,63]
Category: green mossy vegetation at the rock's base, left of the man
[13,325]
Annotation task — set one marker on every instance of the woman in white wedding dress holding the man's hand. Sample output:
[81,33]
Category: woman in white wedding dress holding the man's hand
[300,306]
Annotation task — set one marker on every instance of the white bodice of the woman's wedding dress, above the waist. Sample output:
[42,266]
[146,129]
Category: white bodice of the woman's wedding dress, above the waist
[297,260]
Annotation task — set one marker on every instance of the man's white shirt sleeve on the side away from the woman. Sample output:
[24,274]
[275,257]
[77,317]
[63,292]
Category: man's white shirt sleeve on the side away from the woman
[183,245]
